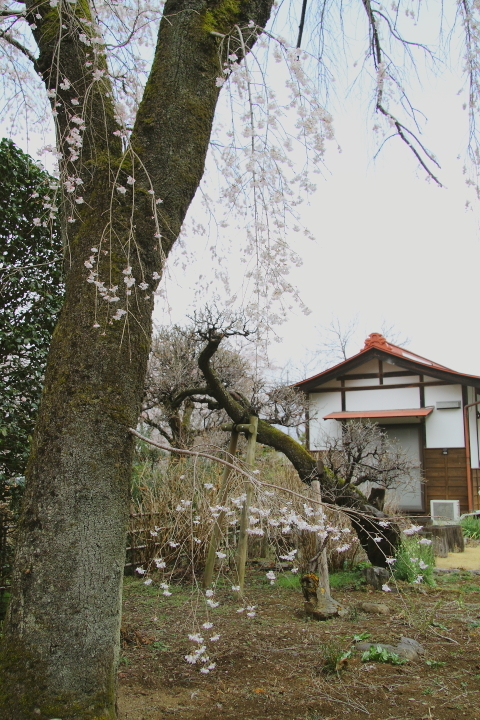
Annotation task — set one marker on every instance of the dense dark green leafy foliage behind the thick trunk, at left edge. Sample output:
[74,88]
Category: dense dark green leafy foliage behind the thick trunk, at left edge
[31,294]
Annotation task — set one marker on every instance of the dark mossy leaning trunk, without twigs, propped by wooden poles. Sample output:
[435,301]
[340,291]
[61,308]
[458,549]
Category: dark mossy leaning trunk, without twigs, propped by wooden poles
[379,541]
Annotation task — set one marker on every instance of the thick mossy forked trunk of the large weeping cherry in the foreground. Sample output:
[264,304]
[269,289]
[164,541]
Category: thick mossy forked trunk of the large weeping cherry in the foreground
[61,641]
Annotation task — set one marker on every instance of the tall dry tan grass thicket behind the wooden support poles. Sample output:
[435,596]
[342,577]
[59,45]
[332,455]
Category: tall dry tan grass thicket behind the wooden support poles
[176,503]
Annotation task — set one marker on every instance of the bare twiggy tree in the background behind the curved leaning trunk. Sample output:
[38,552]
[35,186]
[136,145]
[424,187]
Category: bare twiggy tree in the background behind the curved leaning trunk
[177,401]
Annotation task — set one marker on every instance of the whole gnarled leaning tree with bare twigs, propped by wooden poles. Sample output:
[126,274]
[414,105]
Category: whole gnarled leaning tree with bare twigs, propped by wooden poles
[378,536]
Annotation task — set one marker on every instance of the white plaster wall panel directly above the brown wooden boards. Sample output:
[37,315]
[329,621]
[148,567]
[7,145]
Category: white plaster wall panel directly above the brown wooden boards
[444,428]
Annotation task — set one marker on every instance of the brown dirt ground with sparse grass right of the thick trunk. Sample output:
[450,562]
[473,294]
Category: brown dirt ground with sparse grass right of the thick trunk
[273,665]
